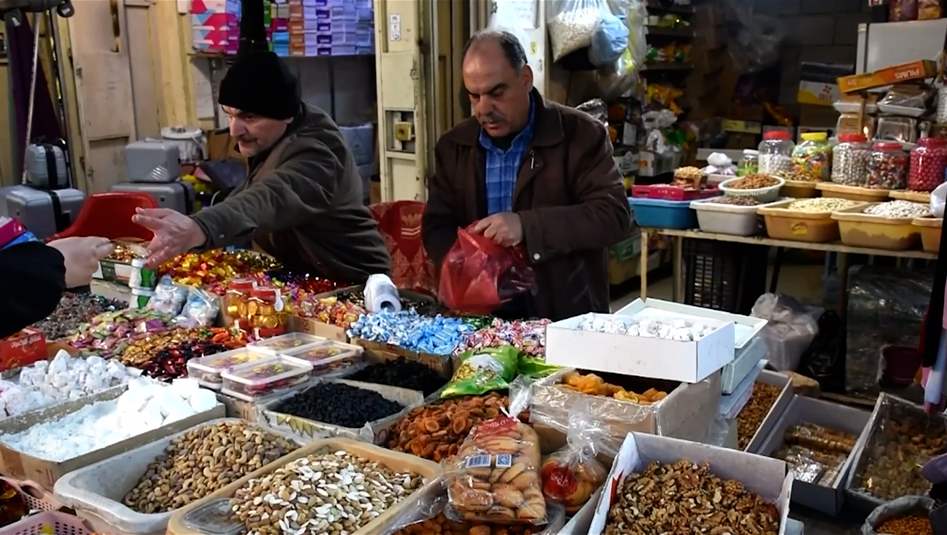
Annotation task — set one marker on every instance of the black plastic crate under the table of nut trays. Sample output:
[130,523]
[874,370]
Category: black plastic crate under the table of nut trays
[723,276]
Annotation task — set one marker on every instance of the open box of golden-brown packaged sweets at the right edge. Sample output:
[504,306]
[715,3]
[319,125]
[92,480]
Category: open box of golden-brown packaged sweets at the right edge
[901,439]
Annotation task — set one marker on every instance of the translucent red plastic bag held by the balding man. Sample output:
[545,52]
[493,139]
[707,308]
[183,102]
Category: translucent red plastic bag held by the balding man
[477,275]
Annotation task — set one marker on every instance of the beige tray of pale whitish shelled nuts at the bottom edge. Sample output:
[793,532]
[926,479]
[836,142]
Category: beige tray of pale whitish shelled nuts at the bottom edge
[330,487]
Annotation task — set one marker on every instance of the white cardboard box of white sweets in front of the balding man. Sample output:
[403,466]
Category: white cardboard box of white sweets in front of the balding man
[654,358]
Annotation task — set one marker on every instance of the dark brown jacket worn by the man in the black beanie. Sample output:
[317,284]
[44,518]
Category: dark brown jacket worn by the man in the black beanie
[302,203]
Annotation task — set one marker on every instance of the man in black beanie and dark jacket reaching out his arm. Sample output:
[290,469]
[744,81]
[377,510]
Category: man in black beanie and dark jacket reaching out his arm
[302,201]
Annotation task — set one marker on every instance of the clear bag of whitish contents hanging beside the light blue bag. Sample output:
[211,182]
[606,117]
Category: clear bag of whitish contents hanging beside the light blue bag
[572,23]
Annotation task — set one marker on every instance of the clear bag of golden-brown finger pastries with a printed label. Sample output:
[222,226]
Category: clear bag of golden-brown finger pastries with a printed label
[496,474]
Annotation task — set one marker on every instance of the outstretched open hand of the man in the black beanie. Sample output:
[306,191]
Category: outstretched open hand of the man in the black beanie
[175,233]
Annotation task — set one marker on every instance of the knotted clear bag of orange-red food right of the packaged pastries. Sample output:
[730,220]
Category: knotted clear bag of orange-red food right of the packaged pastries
[572,474]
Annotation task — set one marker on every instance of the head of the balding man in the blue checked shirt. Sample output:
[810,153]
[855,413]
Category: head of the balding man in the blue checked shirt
[498,82]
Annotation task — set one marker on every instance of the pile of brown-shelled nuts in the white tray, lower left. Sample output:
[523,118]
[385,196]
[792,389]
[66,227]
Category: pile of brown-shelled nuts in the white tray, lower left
[203,461]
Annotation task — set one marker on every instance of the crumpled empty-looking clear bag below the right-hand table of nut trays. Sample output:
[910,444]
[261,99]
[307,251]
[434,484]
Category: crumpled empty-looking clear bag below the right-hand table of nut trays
[789,330]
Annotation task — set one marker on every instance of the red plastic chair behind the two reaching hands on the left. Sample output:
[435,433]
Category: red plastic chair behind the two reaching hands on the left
[109,215]
